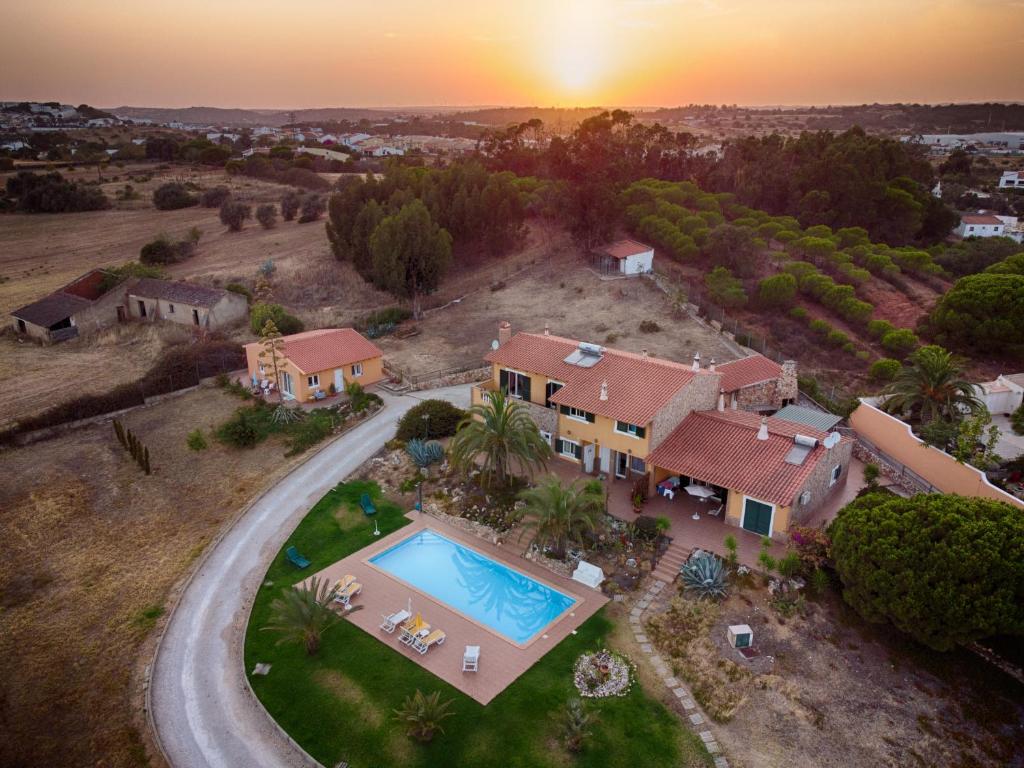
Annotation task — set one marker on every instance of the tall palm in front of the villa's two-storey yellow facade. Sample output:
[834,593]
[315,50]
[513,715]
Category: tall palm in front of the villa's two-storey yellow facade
[501,432]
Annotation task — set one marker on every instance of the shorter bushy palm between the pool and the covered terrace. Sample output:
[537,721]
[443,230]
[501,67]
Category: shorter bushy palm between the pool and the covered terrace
[560,516]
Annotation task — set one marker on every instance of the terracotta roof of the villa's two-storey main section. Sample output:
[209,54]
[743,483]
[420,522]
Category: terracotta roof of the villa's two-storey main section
[637,388]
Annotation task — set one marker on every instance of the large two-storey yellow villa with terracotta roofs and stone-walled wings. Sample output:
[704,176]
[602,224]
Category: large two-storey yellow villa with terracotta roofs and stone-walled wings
[629,416]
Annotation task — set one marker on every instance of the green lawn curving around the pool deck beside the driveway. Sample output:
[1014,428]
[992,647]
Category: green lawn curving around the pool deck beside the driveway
[338,705]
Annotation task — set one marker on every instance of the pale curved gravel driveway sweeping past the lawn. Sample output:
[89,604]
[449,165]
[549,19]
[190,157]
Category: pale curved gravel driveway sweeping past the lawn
[203,711]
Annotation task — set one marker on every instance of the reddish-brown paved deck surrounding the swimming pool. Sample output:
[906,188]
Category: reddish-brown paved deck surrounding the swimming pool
[501,660]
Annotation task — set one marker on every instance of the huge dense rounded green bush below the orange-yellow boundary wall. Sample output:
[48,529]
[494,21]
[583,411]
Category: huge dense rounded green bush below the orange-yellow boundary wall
[947,570]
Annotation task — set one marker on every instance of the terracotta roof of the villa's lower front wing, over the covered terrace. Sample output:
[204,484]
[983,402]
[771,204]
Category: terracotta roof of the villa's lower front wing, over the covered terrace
[722,449]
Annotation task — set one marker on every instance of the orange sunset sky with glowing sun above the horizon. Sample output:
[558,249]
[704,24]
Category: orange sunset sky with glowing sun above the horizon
[563,53]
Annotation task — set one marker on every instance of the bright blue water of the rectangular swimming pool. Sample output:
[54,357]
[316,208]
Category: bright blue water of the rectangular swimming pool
[507,602]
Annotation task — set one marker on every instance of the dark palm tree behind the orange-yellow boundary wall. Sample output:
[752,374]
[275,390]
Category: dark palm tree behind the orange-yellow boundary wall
[932,387]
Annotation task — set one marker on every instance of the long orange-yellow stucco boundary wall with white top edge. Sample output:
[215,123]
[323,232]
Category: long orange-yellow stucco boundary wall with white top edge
[894,439]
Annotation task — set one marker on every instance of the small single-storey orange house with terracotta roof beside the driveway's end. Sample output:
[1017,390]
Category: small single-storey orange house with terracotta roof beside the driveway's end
[325,361]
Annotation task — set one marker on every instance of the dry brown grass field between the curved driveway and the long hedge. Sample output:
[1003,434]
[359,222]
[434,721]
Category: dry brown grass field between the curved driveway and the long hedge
[92,550]
